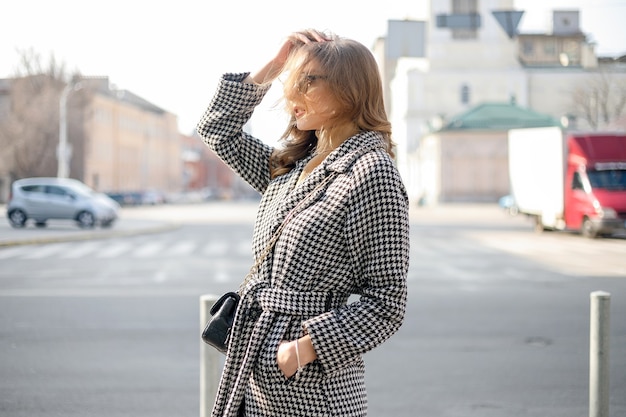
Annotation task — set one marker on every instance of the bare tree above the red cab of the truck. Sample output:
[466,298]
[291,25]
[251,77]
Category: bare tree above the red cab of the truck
[602,99]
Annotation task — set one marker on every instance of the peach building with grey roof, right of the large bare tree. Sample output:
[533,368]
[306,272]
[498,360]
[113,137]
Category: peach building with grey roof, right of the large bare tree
[129,143]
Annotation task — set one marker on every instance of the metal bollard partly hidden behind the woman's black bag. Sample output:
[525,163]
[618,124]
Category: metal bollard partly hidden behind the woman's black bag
[210,361]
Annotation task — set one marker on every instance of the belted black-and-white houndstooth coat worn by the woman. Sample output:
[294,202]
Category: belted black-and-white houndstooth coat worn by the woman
[349,236]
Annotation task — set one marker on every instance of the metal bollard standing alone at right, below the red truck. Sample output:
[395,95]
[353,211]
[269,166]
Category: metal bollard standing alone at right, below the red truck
[599,354]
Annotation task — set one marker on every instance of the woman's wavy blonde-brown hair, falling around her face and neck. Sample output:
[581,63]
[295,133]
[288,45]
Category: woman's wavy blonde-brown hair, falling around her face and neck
[354,80]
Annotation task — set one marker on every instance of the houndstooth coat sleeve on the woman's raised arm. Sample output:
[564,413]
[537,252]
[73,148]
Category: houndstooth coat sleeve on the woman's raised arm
[221,128]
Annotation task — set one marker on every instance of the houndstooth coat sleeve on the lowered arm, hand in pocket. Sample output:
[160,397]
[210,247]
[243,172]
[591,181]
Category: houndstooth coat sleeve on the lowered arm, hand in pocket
[377,235]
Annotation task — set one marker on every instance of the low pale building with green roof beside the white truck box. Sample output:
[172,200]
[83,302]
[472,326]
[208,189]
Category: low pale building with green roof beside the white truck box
[467,159]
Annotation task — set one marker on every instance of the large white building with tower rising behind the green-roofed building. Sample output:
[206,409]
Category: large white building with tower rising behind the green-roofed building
[465,54]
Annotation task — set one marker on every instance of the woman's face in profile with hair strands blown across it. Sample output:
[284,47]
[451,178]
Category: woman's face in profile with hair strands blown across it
[312,102]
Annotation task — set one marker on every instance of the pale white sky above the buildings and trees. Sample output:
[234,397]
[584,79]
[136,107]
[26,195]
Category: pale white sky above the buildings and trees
[172,52]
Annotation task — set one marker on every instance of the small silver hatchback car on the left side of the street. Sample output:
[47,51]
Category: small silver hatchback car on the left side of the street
[41,199]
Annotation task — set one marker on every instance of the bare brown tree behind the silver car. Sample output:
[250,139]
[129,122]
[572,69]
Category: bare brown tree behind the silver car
[29,131]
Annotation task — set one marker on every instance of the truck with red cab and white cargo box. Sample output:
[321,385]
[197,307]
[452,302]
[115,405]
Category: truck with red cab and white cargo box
[568,180]
